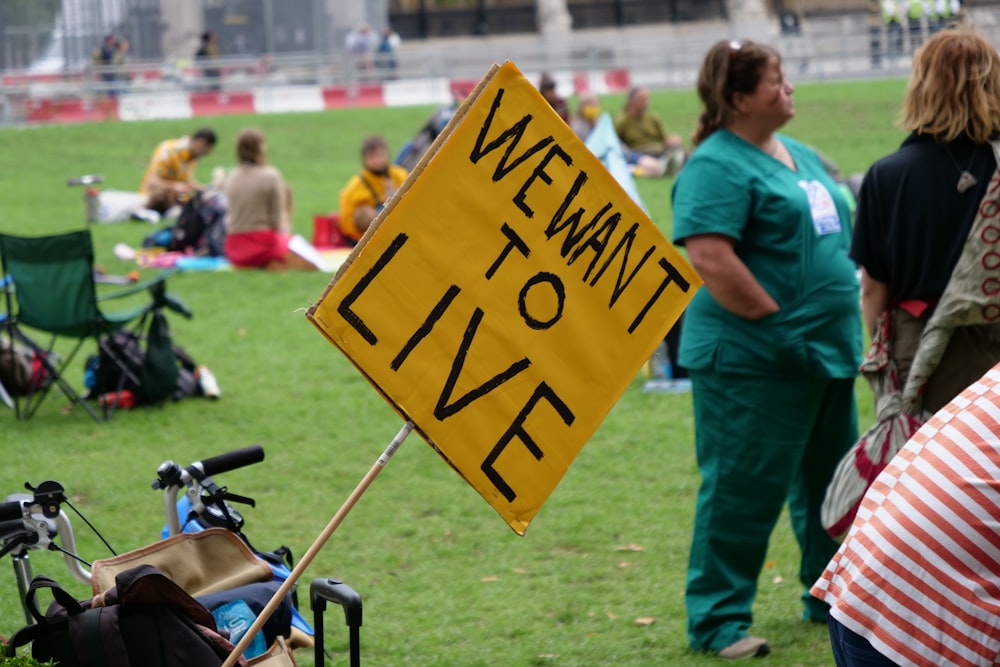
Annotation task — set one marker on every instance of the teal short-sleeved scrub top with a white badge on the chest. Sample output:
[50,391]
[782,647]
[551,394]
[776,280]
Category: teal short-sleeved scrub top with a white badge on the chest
[792,229]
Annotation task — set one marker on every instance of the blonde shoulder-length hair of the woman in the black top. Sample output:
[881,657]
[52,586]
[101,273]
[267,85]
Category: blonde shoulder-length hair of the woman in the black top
[954,88]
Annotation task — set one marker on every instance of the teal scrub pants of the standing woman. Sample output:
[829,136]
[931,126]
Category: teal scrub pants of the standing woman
[759,442]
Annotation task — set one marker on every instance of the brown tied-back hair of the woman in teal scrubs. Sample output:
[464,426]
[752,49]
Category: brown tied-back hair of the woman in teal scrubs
[728,68]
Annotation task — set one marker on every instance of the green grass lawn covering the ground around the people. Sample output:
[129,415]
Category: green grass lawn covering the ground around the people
[599,578]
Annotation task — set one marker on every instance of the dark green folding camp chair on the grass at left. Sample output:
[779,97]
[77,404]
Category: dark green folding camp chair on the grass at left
[50,289]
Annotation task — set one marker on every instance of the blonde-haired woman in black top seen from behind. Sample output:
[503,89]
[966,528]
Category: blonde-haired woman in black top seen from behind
[917,205]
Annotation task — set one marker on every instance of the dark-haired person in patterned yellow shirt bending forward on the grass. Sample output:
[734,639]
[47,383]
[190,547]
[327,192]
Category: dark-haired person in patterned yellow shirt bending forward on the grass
[169,178]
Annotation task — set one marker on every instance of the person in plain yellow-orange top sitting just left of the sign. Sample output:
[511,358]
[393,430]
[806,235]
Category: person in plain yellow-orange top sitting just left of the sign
[366,193]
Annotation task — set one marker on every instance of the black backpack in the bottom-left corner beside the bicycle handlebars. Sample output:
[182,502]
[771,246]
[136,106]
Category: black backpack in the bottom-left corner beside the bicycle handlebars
[145,620]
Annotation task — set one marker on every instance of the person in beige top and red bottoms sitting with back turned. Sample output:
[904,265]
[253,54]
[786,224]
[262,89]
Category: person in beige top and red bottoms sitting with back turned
[260,213]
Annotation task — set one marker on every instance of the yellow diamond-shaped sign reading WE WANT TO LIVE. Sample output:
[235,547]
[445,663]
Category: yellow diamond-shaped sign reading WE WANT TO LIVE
[507,296]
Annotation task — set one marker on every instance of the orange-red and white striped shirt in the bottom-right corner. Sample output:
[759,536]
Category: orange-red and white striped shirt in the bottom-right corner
[918,575]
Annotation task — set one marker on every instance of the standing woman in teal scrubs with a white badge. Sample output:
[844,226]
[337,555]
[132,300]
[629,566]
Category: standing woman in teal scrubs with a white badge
[772,342]
